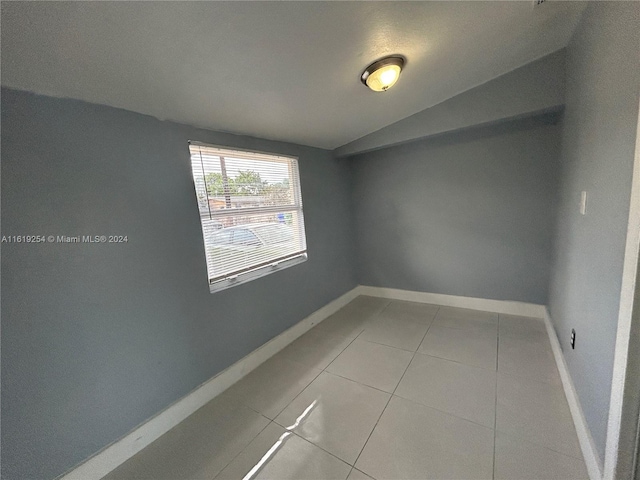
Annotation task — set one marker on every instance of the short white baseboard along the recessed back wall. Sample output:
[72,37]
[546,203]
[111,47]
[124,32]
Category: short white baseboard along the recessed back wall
[499,306]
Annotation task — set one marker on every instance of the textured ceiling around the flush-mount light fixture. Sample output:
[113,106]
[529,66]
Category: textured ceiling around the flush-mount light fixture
[278,70]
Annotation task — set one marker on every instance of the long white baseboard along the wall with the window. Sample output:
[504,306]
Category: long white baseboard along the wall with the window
[118,452]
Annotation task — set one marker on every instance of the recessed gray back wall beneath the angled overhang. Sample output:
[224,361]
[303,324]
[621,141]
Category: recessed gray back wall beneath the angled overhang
[468,213]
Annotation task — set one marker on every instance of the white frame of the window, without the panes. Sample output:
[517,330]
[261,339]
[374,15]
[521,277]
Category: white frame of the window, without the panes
[247,274]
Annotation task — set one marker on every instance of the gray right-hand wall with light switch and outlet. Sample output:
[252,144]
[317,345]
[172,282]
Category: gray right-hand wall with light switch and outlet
[598,140]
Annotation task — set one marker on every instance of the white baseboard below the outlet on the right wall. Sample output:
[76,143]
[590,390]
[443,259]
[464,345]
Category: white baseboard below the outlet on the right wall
[589,452]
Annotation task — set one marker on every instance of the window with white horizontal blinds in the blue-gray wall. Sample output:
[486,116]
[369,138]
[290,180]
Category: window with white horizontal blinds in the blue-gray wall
[251,213]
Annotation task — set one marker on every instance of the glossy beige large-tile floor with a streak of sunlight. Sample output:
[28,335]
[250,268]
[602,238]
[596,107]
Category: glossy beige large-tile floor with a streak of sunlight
[385,390]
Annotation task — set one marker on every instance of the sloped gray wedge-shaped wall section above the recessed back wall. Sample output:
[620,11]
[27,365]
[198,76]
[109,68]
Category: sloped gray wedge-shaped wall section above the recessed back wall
[535,87]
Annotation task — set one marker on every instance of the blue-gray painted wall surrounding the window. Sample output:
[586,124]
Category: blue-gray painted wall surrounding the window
[98,338]
